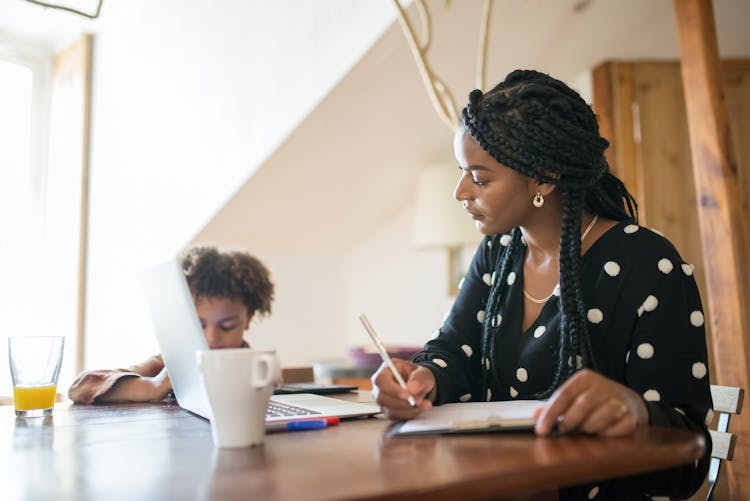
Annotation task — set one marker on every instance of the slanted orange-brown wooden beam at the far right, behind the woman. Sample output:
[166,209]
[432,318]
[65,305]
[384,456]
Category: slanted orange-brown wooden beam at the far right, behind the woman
[721,224]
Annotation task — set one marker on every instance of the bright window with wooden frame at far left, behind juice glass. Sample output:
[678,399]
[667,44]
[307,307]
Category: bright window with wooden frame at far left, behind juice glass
[44,155]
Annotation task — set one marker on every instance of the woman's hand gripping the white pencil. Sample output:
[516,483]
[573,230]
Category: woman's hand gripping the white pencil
[420,383]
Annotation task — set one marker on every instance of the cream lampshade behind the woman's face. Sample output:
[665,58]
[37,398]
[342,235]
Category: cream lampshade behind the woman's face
[439,220]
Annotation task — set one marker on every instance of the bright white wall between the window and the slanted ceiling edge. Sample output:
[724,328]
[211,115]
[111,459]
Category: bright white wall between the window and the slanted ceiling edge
[189,98]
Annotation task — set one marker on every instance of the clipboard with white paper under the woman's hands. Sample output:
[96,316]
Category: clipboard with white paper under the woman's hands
[470,417]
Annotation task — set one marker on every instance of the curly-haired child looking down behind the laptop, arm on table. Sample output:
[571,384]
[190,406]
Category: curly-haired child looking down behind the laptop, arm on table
[229,289]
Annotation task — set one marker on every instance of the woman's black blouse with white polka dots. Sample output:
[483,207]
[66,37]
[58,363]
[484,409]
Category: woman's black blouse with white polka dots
[645,322]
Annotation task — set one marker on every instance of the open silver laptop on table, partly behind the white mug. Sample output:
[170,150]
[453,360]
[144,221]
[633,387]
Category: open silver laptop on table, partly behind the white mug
[179,335]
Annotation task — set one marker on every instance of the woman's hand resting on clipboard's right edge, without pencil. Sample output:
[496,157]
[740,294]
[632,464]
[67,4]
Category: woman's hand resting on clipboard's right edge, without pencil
[592,403]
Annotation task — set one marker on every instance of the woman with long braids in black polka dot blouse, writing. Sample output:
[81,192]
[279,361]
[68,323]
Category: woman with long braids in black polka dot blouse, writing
[567,299]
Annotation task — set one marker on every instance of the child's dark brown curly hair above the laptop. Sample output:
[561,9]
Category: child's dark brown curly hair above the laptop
[212,273]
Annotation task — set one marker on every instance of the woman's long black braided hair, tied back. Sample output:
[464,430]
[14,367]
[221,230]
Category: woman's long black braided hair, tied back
[541,128]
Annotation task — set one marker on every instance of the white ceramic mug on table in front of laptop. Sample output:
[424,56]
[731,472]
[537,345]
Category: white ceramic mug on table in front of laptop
[238,382]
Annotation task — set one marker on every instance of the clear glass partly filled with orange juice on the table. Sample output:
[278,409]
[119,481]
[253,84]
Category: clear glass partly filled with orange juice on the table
[34,366]
